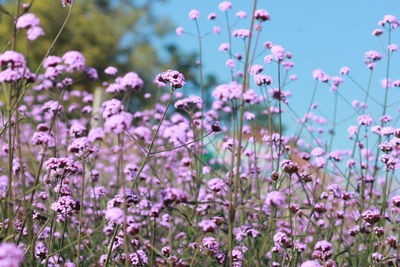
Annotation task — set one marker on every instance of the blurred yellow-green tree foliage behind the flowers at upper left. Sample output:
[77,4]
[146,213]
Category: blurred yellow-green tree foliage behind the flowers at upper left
[108,32]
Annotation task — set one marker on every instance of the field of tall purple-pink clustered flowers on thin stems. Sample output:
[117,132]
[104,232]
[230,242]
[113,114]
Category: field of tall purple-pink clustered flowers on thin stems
[199,175]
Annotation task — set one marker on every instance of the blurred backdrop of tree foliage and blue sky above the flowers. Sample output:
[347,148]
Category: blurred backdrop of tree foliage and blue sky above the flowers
[139,35]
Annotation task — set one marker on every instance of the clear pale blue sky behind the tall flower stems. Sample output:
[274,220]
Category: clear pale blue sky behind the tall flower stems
[320,34]
